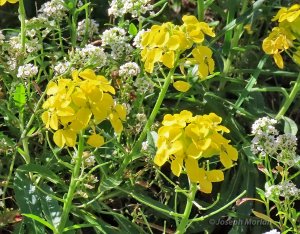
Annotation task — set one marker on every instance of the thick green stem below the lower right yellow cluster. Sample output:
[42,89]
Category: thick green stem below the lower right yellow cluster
[188,208]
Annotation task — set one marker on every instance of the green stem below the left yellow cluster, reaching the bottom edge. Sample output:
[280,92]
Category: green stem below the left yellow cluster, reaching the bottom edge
[73,185]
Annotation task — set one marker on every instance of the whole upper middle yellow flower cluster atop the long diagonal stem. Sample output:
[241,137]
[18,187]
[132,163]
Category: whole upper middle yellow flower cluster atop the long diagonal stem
[165,43]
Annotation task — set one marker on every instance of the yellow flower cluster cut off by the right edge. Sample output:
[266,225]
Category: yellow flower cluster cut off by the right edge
[282,38]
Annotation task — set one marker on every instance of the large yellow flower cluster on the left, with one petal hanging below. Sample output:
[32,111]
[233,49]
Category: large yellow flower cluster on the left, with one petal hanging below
[75,104]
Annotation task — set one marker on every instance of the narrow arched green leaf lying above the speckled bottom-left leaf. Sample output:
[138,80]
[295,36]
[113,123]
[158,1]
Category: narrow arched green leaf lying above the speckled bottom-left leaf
[42,171]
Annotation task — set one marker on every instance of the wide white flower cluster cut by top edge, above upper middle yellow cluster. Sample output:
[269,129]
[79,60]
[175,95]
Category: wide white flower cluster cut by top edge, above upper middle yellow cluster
[118,8]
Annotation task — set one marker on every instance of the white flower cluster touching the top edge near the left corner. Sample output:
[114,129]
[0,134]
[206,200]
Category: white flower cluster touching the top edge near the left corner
[54,9]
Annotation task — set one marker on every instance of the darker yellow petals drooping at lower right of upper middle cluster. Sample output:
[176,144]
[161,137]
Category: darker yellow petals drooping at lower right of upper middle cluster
[203,58]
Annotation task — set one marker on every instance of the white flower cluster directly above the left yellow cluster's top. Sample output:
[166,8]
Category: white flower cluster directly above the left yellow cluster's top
[90,55]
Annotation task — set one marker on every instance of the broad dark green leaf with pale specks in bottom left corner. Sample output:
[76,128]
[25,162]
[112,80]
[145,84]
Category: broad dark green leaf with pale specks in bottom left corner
[28,200]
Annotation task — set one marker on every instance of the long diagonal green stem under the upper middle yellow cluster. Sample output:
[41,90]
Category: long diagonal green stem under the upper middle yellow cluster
[137,145]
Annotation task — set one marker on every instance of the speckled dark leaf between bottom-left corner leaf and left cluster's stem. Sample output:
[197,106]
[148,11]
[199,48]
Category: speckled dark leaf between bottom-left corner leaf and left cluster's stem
[50,206]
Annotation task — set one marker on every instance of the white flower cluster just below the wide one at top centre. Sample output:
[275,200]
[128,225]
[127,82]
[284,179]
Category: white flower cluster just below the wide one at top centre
[113,36]
